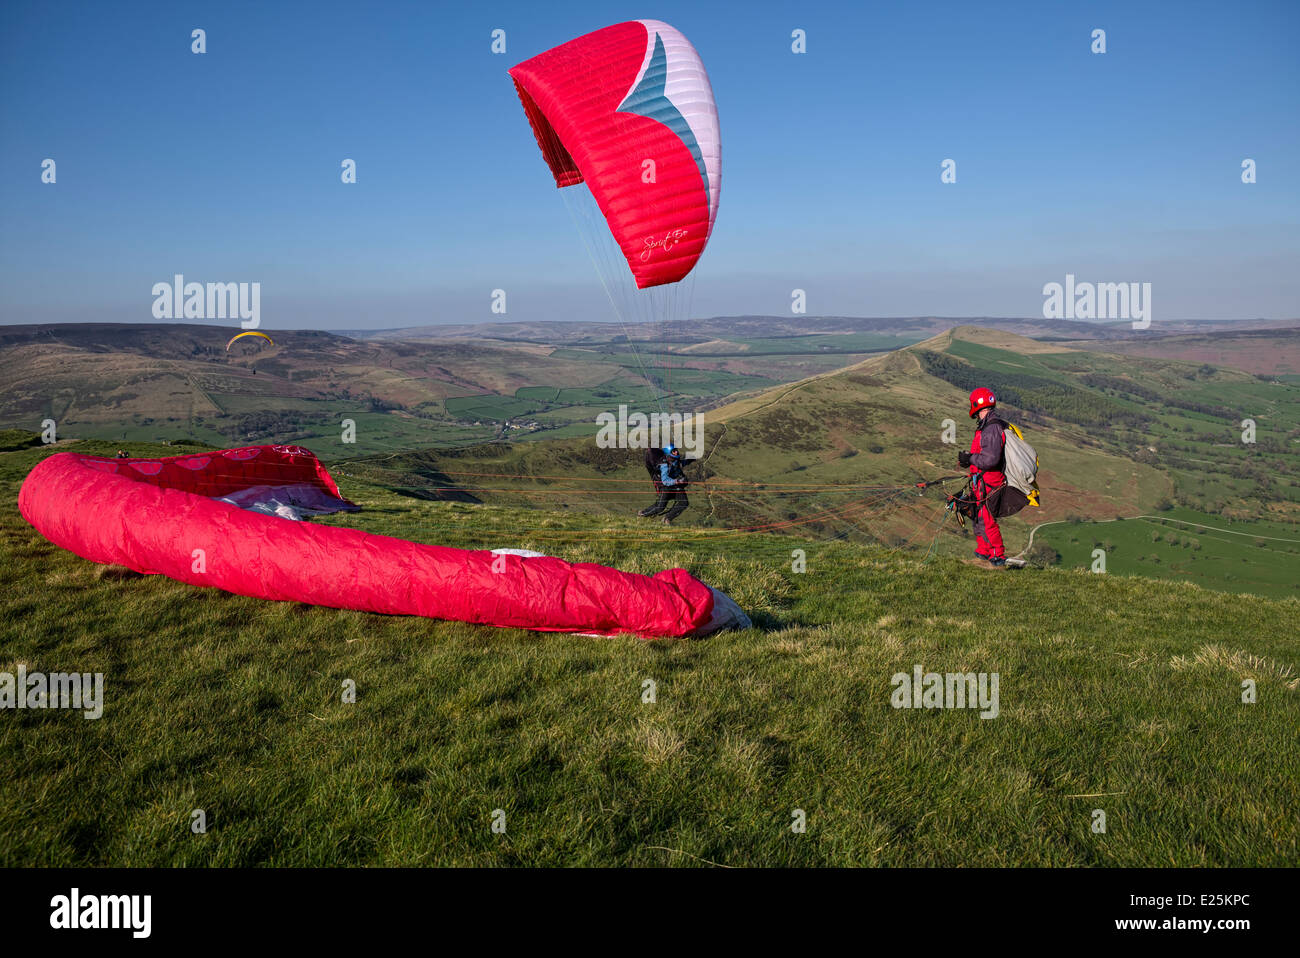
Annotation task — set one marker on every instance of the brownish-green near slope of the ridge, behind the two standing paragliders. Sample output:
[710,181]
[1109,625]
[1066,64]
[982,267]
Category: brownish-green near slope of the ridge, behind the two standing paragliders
[809,457]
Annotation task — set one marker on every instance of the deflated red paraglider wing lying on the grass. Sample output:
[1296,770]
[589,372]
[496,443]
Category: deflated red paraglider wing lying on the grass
[161,517]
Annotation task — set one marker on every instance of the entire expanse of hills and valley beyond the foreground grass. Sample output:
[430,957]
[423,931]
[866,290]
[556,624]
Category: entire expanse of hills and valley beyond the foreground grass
[1119,436]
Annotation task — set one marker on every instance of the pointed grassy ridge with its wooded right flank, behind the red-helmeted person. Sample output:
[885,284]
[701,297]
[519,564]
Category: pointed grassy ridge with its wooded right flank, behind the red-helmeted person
[1117,436]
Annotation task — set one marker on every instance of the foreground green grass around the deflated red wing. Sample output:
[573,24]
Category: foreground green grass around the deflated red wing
[1116,686]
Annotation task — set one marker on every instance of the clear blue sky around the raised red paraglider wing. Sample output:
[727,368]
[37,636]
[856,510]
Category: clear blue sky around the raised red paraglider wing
[226,167]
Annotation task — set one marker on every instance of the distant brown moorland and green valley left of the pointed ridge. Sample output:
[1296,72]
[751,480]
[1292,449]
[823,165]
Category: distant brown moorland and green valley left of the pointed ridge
[177,382]
